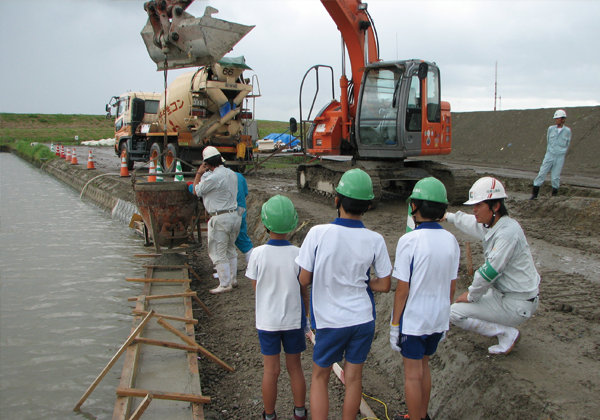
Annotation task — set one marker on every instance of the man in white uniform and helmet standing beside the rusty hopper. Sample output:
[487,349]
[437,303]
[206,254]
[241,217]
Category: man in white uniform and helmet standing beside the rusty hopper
[217,186]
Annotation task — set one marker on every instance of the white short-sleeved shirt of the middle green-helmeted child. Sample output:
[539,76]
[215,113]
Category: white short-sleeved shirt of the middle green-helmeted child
[340,256]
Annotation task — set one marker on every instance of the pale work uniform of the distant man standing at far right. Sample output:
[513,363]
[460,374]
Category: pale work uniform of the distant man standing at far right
[558,144]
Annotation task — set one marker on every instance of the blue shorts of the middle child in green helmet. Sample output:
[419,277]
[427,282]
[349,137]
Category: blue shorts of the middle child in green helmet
[352,343]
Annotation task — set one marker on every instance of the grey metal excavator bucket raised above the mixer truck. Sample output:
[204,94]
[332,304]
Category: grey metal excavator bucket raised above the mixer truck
[191,41]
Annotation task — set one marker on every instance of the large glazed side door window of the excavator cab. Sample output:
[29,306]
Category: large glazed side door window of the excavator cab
[377,115]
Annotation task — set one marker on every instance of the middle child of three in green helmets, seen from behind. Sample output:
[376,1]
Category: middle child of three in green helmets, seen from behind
[336,259]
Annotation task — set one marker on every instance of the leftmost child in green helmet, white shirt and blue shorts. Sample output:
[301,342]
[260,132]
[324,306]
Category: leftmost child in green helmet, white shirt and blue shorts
[281,305]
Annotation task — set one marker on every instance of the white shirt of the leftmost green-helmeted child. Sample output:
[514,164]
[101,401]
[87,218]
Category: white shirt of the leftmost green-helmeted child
[278,300]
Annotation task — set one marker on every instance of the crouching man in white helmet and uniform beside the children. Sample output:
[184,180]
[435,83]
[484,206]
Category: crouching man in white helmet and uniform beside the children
[504,291]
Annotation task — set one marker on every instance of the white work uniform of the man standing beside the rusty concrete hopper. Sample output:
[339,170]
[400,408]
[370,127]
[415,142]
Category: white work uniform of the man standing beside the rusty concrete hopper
[218,189]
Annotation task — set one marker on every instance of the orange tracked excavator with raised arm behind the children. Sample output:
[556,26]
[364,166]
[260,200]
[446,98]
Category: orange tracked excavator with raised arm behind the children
[388,112]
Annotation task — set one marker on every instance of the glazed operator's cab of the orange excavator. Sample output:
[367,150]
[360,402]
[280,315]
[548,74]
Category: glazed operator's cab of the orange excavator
[399,111]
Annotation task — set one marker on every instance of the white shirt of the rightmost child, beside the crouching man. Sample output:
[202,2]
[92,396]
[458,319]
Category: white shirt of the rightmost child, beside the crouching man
[427,258]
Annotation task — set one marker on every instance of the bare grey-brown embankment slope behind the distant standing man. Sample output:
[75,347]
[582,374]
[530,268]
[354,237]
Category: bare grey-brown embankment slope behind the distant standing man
[516,139]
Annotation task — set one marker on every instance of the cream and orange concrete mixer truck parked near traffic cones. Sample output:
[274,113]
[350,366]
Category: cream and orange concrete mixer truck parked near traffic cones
[207,106]
